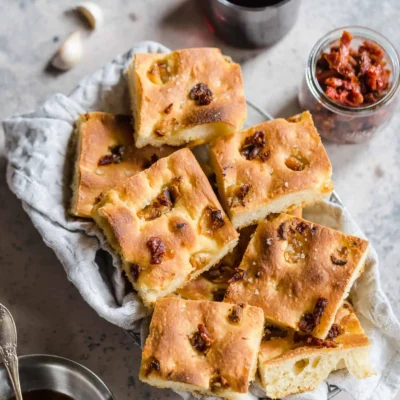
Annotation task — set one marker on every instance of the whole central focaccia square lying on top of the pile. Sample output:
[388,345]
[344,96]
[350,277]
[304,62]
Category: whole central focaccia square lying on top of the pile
[167,225]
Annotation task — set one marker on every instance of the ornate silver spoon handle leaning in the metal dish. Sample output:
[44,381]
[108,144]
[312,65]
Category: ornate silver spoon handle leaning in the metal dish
[8,348]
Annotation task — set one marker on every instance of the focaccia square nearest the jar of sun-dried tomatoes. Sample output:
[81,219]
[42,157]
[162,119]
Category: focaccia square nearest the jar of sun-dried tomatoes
[272,167]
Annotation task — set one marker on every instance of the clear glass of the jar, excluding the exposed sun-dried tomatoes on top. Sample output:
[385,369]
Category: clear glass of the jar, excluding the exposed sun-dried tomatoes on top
[340,123]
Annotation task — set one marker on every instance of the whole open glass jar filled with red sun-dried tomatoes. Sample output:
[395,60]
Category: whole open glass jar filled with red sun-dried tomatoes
[350,84]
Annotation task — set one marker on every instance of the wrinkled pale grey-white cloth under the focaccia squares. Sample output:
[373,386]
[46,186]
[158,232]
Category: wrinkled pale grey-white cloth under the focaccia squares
[40,164]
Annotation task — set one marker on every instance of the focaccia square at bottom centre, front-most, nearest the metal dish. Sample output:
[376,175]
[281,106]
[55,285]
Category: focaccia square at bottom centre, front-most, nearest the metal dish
[202,346]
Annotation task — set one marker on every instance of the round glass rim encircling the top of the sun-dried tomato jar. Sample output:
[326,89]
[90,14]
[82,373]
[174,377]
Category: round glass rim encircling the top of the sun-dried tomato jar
[368,34]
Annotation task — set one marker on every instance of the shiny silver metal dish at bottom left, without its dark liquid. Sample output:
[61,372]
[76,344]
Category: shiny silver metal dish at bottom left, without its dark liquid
[46,372]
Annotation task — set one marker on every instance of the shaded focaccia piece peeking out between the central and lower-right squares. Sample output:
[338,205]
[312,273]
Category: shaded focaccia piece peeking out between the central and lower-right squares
[212,285]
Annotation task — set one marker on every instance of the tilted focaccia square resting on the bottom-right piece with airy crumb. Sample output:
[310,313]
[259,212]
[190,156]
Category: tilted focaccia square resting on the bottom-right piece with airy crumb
[298,272]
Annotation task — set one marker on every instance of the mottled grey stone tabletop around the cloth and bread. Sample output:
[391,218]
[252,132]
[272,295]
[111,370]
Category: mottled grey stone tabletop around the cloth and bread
[50,314]
